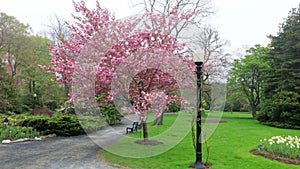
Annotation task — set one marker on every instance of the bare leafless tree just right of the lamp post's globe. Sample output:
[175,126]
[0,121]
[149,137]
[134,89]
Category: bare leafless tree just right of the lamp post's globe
[216,63]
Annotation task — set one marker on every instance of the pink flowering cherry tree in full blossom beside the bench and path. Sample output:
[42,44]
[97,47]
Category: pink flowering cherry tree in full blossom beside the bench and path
[135,60]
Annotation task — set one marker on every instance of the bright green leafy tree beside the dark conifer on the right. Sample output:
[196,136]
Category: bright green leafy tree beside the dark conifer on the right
[247,75]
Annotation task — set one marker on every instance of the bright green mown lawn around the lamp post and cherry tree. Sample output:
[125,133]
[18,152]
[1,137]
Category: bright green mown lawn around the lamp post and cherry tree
[230,145]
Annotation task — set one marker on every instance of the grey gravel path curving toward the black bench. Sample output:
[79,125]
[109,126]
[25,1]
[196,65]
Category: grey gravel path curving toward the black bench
[78,152]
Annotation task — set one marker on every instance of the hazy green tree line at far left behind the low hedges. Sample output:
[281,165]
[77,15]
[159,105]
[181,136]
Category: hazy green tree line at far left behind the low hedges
[21,78]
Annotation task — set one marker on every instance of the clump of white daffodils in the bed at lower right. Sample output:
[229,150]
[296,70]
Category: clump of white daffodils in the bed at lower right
[283,147]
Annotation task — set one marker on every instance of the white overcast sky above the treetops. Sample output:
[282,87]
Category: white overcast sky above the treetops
[242,22]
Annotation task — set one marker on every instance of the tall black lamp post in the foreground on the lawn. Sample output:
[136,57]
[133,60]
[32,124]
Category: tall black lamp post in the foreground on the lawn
[199,164]
